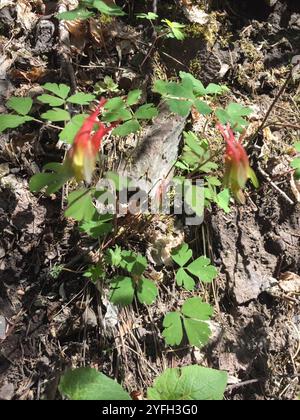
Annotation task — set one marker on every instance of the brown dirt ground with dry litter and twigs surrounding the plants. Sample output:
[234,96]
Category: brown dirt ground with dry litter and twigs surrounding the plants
[55,319]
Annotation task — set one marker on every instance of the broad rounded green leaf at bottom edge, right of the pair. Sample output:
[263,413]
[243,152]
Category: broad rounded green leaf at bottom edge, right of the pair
[189,383]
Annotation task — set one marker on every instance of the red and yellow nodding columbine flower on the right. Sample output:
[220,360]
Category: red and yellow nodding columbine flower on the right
[237,167]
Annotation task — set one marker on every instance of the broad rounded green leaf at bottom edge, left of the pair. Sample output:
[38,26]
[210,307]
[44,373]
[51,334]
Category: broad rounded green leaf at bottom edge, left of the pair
[88,384]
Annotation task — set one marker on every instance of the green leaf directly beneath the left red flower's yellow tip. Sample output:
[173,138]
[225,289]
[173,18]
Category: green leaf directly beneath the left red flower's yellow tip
[80,205]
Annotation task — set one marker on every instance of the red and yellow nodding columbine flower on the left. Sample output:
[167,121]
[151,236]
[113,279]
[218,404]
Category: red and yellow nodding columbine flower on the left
[82,156]
